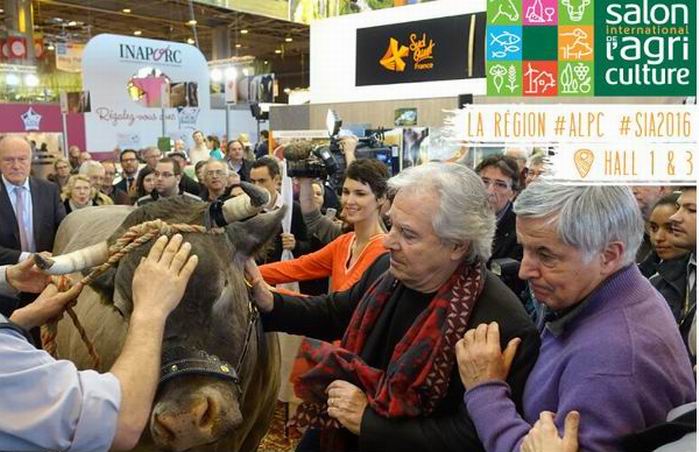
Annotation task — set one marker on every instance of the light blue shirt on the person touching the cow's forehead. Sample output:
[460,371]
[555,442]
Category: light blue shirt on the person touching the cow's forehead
[49,404]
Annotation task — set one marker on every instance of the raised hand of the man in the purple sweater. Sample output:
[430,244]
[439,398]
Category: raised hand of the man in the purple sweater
[480,358]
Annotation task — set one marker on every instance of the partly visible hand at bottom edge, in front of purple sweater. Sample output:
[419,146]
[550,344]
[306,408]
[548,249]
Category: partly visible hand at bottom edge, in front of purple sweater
[543,437]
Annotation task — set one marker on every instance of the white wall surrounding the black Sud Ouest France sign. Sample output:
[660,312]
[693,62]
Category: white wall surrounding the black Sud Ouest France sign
[333,55]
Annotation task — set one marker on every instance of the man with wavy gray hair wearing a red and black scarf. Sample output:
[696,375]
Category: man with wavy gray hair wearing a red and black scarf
[393,383]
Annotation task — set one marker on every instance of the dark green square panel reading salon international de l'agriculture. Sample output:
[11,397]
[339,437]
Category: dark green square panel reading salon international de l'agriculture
[645,48]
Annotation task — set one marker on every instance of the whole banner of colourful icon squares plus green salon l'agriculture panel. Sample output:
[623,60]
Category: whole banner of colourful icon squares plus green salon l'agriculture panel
[591,48]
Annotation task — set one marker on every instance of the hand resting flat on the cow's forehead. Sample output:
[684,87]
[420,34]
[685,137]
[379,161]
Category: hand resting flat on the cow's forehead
[161,278]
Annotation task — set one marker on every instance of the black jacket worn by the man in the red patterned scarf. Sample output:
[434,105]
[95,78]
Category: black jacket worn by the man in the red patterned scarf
[449,428]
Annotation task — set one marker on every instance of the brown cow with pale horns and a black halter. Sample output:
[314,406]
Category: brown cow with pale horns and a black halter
[206,399]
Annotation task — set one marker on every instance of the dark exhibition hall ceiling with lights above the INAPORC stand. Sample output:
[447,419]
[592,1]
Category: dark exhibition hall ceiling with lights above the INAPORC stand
[263,37]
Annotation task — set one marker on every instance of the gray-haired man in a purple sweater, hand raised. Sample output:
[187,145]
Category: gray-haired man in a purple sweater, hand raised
[609,346]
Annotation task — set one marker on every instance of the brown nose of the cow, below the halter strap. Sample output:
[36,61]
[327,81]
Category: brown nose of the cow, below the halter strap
[181,426]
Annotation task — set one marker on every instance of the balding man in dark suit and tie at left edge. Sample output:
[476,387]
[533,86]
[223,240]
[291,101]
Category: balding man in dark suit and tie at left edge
[30,208]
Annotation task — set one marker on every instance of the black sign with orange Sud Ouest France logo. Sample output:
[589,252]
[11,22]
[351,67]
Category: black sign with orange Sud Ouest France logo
[445,48]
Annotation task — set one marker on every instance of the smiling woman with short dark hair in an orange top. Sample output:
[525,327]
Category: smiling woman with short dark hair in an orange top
[346,258]
